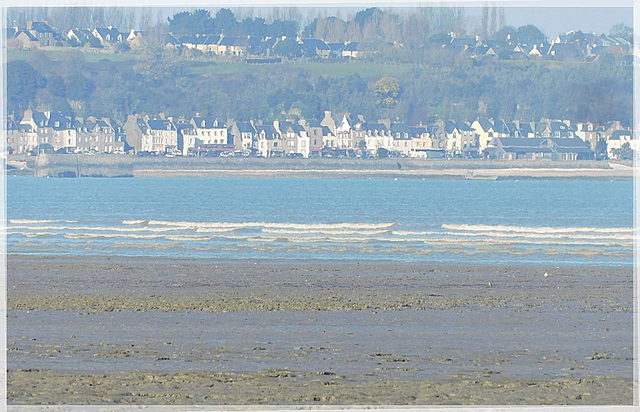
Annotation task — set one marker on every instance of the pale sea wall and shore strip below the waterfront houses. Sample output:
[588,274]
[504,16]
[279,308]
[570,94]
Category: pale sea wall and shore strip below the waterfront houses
[71,165]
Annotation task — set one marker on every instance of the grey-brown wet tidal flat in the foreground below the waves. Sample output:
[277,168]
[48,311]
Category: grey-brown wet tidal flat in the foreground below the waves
[179,332]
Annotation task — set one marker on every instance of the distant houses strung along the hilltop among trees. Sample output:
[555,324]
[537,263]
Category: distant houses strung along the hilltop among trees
[573,45]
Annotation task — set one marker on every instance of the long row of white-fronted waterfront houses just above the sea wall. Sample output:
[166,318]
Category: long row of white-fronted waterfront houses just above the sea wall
[335,132]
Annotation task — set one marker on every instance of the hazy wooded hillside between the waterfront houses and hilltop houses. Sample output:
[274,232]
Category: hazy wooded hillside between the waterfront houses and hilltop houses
[467,89]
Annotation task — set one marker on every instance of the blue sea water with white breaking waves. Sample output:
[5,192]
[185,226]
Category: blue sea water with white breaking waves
[528,221]
